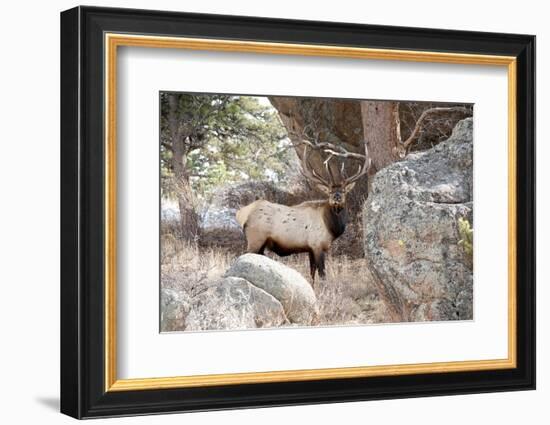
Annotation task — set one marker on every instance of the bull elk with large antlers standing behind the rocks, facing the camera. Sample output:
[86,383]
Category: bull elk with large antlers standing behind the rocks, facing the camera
[309,227]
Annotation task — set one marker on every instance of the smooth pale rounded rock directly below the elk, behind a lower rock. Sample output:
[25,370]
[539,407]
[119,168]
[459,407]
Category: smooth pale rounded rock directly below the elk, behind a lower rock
[285,284]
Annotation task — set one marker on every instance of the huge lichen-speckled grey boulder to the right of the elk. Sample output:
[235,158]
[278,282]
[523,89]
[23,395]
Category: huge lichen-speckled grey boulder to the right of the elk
[411,236]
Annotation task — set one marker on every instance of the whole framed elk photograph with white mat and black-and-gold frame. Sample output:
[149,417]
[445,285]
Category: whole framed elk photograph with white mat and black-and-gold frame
[261,212]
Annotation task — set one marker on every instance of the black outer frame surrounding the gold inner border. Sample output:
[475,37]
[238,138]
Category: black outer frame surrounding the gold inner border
[82,212]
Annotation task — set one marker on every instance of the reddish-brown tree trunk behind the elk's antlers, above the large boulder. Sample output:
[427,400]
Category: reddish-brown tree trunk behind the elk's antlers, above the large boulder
[381,129]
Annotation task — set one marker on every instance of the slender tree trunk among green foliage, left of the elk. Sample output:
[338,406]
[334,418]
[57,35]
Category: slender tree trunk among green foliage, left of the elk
[189,219]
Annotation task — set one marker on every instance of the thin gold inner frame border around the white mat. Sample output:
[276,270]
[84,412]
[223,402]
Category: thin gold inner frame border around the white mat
[113,41]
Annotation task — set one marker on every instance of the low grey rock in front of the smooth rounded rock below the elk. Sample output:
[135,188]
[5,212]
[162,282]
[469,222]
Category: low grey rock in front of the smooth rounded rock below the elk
[234,303]
